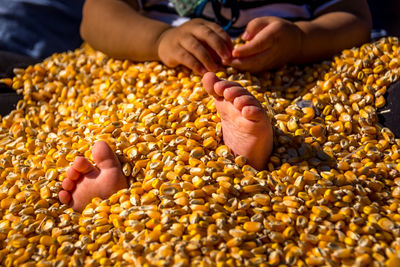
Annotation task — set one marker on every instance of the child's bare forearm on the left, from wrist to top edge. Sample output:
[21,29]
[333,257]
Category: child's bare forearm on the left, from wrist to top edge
[114,27]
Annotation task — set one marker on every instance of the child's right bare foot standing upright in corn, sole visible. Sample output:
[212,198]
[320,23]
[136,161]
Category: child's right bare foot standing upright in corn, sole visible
[246,128]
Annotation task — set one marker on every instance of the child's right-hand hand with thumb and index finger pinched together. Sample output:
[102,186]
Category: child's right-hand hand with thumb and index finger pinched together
[272,42]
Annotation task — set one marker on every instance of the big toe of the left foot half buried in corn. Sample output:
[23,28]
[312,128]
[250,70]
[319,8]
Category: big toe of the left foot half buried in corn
[103,156]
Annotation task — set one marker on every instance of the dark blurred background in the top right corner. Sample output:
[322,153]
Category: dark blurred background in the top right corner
[386,15]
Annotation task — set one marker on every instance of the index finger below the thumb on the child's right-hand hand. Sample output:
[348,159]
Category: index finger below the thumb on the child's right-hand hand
[261,42]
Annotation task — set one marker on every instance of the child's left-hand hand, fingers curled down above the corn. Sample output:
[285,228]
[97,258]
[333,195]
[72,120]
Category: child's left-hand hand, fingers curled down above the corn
[198,44]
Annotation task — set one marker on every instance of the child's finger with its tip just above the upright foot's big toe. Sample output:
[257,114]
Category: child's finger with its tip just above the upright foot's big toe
[194,47]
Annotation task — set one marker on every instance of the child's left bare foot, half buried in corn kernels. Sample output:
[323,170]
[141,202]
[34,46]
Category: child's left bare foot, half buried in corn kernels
[84,181]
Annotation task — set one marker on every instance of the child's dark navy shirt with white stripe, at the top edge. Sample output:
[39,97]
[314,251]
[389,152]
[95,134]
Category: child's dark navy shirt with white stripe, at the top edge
[292,10]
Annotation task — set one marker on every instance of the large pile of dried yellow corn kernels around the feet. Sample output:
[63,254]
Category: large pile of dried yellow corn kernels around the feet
[330,194]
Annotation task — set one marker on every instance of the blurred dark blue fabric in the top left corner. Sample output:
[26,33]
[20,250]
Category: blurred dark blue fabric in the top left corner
[39,28]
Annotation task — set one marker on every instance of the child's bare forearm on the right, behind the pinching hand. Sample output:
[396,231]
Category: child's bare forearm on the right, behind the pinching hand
[331,33]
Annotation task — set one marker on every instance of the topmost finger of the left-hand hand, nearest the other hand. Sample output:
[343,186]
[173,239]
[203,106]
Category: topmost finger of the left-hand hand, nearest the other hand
[220,45]
